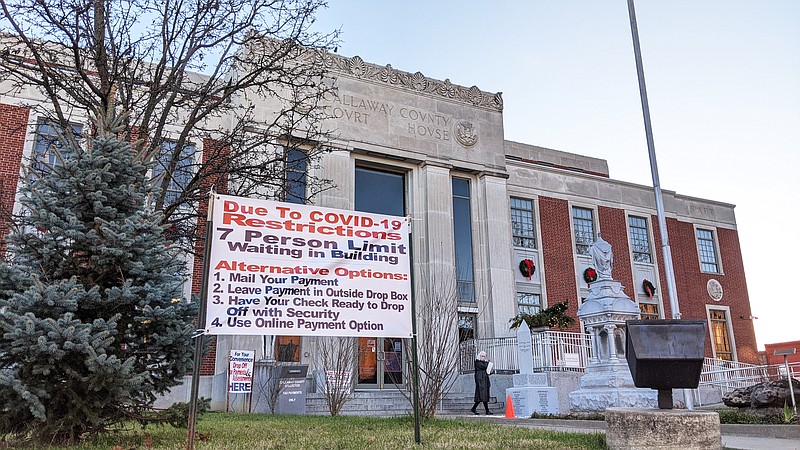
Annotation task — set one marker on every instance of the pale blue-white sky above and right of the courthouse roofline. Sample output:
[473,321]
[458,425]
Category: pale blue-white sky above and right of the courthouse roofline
[723,82]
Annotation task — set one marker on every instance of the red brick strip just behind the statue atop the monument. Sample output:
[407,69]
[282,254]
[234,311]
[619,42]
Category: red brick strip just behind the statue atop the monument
[613,227]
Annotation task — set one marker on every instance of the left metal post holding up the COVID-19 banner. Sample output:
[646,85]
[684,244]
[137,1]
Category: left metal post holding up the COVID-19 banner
[201,322]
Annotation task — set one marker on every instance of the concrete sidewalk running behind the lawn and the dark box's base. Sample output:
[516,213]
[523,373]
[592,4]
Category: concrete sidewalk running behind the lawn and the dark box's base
[744,437]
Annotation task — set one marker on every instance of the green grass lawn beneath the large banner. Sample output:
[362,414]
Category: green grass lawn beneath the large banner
[260,431]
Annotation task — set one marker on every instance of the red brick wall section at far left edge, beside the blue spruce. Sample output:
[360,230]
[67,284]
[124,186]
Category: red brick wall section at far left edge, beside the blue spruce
[13,128]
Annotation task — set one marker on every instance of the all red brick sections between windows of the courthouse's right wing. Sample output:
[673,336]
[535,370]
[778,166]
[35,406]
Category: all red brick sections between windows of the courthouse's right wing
[557,254]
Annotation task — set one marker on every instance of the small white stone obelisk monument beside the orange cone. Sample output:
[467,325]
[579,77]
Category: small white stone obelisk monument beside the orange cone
[531,392]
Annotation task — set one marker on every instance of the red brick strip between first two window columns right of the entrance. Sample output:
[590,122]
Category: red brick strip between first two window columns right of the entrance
[557,254]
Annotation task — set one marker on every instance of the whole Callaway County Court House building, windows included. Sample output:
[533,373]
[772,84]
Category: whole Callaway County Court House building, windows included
[511,221]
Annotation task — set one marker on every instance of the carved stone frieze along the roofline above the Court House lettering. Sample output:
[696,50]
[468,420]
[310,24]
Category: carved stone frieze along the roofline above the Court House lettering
[358,68]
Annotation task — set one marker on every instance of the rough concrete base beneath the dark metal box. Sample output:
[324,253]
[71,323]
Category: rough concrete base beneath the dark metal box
[638,428]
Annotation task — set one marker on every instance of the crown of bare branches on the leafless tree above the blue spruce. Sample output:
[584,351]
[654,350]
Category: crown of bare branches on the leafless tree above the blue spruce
[188,72]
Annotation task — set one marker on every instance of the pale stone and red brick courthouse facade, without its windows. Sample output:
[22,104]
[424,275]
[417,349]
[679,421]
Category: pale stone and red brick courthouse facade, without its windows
[431,131]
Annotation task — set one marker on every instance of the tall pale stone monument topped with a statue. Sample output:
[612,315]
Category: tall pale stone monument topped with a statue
[607,381]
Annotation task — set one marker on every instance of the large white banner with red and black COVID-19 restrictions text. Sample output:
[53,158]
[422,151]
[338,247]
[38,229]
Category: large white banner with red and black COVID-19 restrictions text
[287,269]
